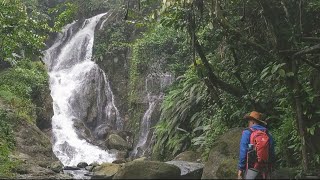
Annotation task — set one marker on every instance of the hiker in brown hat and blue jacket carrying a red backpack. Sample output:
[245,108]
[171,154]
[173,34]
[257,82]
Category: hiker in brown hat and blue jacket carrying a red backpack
[256,149]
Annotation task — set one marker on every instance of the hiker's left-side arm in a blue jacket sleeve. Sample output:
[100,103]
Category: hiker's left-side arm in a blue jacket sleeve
[245,140]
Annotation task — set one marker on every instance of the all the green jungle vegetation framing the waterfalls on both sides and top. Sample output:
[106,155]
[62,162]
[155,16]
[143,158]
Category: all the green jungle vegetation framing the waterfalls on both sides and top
[229,56]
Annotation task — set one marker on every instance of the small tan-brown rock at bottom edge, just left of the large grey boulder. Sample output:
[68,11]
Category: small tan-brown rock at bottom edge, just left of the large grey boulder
[105,170]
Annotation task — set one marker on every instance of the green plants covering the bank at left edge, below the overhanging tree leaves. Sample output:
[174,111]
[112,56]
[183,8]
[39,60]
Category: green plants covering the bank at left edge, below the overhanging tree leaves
[19,87]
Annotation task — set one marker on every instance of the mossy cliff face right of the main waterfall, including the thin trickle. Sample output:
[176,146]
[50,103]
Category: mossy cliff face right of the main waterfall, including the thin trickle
[138,99]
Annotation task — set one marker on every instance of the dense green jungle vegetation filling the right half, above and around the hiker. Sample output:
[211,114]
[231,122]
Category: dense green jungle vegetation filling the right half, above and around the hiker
[239,56]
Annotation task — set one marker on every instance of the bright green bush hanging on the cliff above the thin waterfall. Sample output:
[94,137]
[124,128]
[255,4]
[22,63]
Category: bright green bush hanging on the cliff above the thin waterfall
[163,46]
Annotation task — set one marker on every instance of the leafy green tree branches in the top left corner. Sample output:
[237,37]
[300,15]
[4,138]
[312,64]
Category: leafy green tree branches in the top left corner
[22,33]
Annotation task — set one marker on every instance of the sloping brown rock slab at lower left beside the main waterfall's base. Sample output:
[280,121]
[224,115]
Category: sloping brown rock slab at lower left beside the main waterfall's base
[34,153]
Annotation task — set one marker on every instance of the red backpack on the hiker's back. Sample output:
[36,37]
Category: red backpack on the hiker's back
[260,140]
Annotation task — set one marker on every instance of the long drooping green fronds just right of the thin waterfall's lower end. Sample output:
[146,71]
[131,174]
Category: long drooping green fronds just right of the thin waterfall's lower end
[181,117]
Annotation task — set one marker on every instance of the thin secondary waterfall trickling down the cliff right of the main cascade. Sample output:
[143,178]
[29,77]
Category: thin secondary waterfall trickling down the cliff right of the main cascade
[154,85]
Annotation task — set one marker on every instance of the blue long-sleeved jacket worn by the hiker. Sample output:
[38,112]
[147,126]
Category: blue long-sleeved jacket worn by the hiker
[245,140]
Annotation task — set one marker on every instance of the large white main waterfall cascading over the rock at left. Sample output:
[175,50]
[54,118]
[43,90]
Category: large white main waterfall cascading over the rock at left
[81,93]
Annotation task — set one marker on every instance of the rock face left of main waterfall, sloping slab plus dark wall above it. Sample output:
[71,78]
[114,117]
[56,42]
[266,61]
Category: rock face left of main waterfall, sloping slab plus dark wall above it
[33,147]
